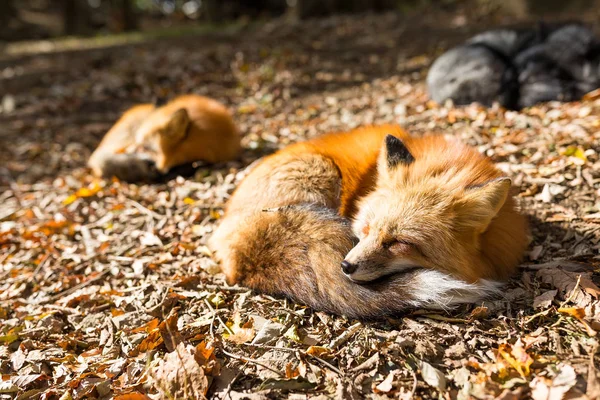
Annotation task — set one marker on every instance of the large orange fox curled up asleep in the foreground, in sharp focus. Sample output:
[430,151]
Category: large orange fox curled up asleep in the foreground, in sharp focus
[371,222]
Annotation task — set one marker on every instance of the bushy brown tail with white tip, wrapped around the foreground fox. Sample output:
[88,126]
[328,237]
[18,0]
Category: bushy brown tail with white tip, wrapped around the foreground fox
[296,251]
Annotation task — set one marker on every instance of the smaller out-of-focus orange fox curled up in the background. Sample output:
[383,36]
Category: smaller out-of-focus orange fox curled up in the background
[147,140]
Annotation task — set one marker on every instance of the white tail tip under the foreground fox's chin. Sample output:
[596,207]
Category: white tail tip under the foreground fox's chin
[437,290]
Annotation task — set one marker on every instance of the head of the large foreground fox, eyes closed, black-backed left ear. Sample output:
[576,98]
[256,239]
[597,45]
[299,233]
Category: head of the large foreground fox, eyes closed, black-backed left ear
[422,216]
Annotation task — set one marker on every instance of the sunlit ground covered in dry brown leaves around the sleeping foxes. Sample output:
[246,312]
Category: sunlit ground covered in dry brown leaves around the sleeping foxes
[108,290]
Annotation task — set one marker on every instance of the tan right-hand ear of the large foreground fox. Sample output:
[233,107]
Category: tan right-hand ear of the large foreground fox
[481,203]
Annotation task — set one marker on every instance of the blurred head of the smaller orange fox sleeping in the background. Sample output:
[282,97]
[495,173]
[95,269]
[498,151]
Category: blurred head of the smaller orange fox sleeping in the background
[159,135]
